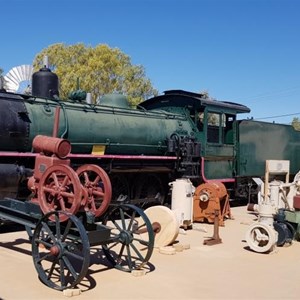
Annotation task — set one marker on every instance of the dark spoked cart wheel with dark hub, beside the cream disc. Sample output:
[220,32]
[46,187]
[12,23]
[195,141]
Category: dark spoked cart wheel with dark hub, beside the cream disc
[132,238]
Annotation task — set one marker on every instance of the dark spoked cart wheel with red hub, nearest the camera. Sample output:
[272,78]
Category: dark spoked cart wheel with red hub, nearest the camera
[60,251]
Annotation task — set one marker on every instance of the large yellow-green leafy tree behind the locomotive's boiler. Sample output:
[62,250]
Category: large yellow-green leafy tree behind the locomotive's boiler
[100,70]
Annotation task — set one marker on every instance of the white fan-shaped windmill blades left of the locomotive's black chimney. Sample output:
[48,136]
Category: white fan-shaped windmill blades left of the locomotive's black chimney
[18,79]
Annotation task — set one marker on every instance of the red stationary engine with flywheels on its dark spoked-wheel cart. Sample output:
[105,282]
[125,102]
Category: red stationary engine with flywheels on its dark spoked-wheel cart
[70,212]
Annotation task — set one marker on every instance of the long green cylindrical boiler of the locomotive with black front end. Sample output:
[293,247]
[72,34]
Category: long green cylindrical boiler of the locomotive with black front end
[110,126]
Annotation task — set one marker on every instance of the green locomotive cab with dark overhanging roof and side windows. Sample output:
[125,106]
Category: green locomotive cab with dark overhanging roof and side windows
[213,124]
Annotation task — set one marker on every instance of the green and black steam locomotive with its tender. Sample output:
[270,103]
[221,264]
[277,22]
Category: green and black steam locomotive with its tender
[178,134]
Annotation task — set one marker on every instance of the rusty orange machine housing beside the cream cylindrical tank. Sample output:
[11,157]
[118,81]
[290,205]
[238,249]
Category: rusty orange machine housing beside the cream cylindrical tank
[208,198]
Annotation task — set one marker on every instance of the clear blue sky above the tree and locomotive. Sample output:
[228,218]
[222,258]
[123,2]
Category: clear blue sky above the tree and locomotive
[245,51]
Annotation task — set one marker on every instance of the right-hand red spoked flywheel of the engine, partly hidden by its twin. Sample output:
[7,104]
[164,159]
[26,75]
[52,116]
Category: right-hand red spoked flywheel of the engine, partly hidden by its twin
[97,183]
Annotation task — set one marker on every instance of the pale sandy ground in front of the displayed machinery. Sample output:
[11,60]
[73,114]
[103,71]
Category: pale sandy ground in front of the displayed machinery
[225,271]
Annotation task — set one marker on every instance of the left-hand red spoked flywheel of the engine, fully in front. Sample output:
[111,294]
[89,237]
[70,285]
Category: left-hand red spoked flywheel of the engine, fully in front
[60,190]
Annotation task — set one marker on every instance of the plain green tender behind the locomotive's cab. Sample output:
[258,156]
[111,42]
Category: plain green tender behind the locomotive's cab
[261,141]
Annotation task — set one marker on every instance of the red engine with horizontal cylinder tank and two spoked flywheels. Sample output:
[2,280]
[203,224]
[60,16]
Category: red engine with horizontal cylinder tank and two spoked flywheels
[56,186]
